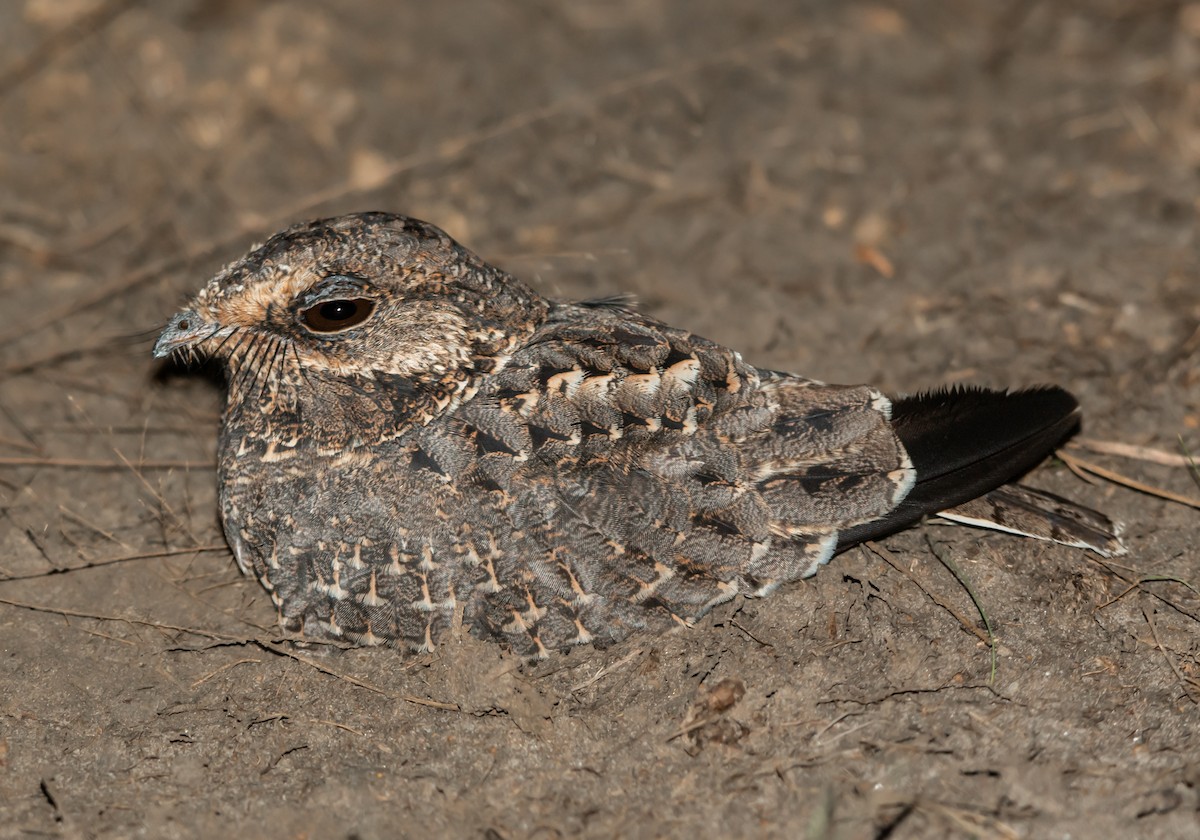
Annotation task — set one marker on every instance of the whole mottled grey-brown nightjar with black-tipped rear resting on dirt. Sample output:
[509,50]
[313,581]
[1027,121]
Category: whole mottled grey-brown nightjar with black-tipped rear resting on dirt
[415,439]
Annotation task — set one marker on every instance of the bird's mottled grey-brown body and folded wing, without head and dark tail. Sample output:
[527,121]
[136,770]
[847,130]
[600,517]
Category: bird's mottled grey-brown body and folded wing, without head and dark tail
[614,476]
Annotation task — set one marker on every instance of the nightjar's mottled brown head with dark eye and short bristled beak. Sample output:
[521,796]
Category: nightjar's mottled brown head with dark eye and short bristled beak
[370,308]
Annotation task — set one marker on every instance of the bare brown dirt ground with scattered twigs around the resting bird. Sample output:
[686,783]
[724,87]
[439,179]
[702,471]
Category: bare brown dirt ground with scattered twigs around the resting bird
[904,194]
